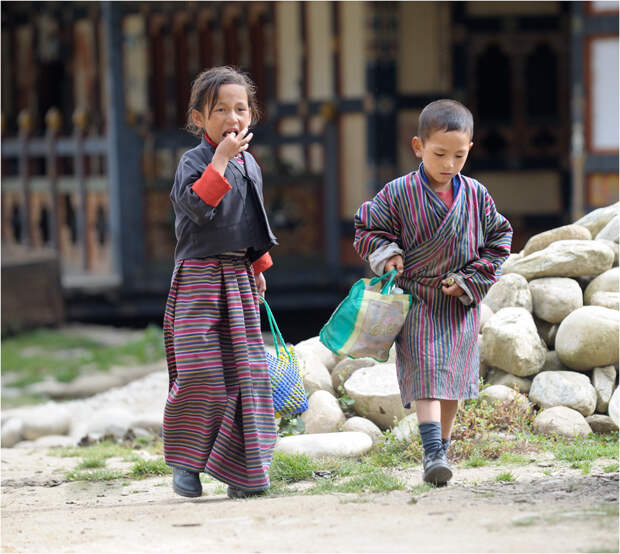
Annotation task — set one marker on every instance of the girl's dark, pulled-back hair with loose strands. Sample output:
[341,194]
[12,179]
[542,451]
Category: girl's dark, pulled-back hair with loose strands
[206,87]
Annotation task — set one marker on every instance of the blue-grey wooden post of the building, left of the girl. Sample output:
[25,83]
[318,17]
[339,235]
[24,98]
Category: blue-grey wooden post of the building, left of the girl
[124,149]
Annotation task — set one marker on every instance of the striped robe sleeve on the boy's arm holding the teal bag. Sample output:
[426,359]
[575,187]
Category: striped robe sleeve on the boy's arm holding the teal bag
[377,225]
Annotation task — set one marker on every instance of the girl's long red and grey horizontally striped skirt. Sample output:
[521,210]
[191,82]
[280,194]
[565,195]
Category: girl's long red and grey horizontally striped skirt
[219,412]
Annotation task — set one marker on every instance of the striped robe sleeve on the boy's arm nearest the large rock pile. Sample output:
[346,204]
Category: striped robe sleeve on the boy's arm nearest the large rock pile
[479,275]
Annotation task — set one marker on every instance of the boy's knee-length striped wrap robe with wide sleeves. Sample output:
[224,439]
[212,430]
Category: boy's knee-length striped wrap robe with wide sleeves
[437,350]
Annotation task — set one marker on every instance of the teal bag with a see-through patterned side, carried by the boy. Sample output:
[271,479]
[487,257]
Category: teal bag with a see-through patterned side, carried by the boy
[368,320]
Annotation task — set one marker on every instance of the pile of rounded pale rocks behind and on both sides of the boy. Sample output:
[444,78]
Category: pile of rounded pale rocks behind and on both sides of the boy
[550,329]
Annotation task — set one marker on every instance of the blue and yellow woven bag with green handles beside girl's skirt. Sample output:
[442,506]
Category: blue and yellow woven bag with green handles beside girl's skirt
[287,385]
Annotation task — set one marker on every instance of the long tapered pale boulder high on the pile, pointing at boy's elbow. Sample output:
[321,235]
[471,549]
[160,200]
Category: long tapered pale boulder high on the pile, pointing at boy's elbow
[566,258]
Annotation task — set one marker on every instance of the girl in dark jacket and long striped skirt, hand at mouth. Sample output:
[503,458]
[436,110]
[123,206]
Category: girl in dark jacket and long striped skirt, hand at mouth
[219,413]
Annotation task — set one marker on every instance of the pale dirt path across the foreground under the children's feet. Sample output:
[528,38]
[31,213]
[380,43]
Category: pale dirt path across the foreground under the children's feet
[548,508]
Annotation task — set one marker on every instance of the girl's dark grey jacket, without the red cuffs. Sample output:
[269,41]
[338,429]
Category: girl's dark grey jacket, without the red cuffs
[238,222]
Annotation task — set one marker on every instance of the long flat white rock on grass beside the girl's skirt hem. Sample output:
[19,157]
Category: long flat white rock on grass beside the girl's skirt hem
[346,444]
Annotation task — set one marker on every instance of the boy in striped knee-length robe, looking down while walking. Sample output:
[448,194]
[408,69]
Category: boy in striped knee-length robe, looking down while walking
[443,234]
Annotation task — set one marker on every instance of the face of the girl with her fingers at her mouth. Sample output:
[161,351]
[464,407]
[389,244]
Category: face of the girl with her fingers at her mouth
[230,114]
